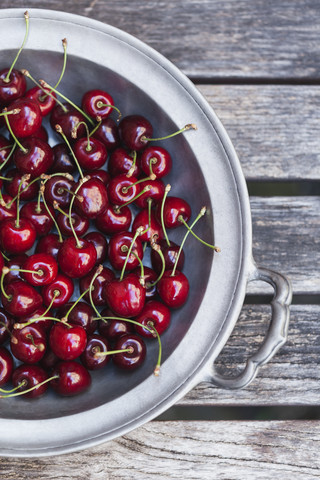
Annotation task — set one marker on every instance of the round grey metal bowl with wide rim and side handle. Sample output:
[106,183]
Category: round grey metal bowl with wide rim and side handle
[206,172]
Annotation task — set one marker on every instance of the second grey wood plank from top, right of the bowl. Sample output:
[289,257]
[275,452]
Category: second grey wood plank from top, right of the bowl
[275,128]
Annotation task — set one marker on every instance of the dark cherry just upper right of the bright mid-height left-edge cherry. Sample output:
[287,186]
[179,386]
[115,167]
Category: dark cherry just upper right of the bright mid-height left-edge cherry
[38,215]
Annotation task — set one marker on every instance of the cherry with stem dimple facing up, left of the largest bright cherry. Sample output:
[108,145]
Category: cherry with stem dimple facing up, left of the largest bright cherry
[58,292]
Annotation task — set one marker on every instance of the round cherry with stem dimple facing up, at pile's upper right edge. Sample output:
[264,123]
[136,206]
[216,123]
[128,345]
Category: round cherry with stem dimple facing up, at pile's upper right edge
[156,160]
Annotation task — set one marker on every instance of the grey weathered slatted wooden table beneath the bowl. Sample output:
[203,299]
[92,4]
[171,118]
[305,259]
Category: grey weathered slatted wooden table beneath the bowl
[258,64]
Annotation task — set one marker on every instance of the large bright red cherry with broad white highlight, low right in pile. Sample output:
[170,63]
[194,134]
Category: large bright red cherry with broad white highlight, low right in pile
[125,297]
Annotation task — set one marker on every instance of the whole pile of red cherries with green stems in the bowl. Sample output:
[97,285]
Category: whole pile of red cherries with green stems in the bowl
[78,223]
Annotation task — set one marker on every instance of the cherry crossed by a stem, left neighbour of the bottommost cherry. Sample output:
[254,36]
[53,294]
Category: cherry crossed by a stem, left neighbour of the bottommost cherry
[29,376]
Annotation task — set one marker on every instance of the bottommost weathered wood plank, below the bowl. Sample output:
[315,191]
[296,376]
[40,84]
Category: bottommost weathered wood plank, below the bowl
[189,450]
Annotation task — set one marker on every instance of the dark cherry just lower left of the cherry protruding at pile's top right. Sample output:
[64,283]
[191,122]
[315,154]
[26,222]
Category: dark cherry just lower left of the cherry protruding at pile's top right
[68,118]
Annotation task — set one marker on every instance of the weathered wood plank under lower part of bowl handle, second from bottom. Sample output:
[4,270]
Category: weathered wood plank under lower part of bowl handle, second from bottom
[292,377]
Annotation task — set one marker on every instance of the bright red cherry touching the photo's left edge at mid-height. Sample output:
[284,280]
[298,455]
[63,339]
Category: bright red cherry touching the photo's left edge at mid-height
[17,239]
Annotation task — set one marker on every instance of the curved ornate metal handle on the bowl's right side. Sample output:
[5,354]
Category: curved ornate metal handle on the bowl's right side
[275,337]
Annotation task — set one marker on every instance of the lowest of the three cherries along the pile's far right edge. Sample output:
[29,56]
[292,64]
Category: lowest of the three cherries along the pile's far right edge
[173,290]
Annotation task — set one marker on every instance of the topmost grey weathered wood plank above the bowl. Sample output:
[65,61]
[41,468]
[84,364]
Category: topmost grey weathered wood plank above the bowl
[214,39]
